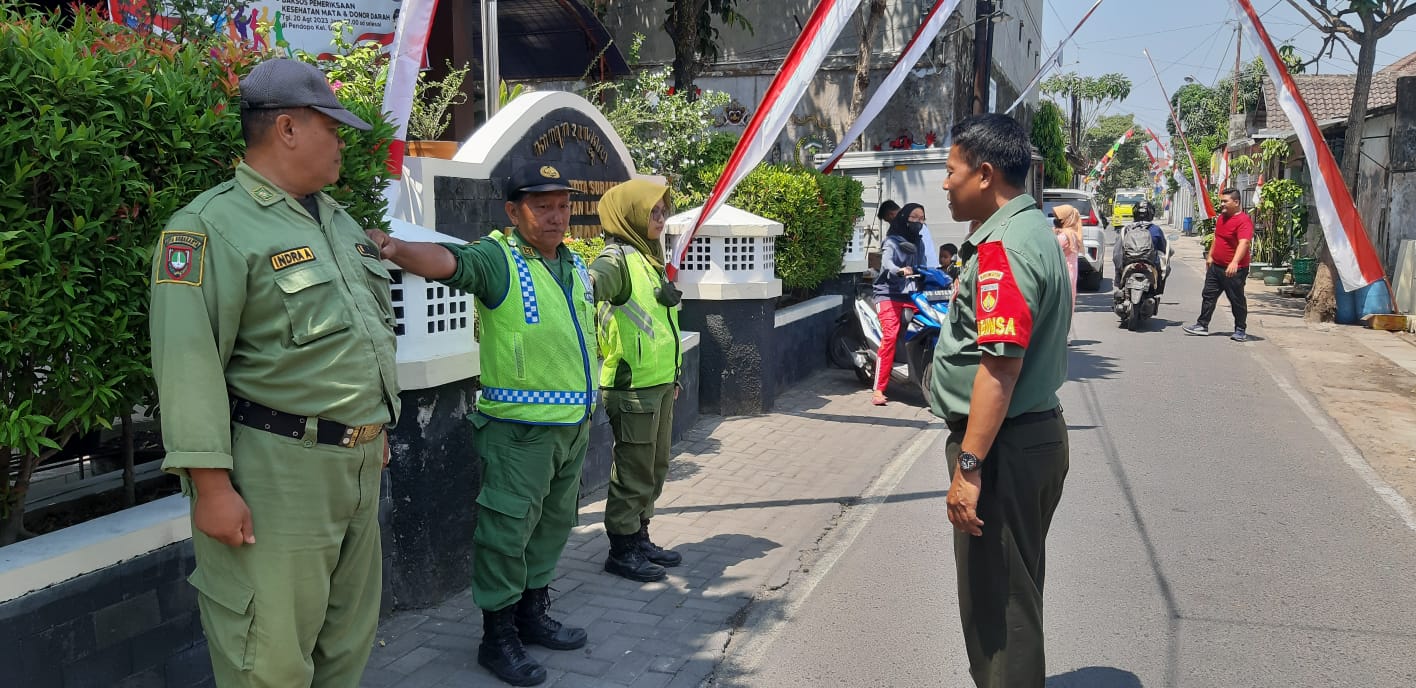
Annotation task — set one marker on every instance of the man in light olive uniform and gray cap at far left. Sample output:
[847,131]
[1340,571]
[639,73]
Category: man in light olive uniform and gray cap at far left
[274,355]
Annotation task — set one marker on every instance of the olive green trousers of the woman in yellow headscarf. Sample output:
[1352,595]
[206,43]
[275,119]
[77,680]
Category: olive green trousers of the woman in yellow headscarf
[644,424]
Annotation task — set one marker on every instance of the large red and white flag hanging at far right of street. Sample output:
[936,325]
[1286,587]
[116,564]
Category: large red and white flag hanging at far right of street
[1353,254]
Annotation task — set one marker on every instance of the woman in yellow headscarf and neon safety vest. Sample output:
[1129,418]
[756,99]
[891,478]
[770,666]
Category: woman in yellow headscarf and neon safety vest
[638,326]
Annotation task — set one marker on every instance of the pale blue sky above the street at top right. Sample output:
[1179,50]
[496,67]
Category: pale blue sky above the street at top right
[1186,39]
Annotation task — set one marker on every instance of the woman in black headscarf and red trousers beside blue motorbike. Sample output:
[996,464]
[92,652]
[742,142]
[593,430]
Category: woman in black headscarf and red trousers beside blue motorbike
[900,258]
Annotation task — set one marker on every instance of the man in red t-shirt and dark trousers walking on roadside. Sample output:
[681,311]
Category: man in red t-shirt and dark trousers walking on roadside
[1227,267]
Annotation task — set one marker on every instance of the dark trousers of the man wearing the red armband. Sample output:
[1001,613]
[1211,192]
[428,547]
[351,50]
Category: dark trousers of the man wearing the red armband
[1000,574]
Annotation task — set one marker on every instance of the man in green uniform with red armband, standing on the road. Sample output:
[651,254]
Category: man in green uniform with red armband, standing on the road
[999,366]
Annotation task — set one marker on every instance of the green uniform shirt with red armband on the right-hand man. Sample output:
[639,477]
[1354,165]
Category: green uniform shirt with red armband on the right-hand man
[1013,299]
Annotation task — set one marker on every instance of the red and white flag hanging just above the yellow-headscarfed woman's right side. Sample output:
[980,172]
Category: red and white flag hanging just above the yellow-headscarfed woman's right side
[782,97]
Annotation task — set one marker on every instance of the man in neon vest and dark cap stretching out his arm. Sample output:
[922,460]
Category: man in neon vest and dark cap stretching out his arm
[536,316]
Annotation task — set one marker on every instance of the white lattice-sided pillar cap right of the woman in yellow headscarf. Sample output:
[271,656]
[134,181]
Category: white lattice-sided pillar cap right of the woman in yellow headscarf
[733,256]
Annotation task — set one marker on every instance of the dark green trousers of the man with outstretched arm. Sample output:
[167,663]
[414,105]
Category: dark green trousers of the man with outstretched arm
[530,489]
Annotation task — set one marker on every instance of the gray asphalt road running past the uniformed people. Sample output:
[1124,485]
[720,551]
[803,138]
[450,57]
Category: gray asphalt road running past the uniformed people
[1213,534]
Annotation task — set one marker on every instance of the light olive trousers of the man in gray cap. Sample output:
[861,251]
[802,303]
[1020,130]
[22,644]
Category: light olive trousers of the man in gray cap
[298,608]
